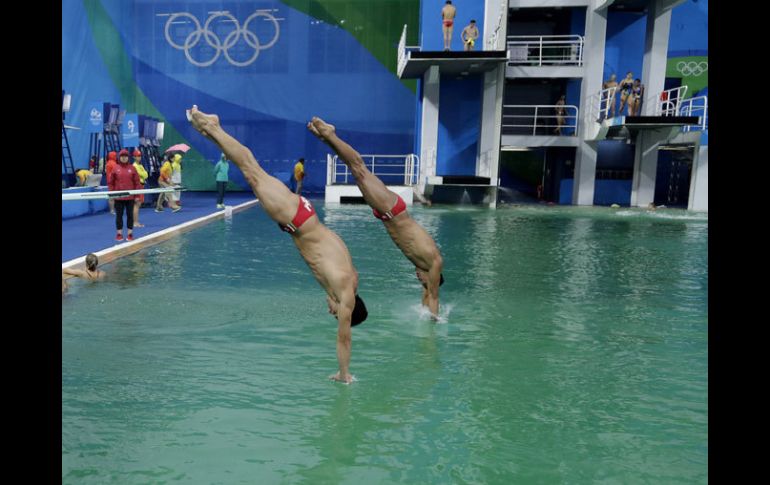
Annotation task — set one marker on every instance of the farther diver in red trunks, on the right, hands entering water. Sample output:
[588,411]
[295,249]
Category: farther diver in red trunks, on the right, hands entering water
[410,237]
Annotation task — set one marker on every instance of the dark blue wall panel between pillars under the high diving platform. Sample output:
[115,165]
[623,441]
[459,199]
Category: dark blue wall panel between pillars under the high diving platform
[459,125]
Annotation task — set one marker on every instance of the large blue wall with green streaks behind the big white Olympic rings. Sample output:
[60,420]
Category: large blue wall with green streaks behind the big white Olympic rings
[118,51]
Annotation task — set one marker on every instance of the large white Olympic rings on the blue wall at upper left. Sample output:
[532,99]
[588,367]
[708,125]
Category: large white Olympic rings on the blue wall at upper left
[220,46]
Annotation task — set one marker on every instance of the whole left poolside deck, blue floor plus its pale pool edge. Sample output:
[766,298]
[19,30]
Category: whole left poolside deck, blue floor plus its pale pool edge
[95,233]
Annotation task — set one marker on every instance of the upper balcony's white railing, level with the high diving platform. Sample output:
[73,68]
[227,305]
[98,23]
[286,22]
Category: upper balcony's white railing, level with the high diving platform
[545,50]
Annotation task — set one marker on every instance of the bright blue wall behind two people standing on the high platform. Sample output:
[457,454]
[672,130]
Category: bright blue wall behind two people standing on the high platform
[431,33]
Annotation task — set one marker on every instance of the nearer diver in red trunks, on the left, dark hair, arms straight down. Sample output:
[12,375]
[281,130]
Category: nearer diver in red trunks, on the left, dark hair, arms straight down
[322,249]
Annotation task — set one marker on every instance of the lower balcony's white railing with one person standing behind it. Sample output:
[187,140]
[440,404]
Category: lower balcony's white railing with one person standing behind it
[542,116]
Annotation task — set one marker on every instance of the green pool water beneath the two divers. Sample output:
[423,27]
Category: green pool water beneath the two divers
[573,348]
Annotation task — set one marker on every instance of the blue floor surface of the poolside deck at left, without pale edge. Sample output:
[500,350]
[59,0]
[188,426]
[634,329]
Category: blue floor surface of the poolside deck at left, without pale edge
[91,233]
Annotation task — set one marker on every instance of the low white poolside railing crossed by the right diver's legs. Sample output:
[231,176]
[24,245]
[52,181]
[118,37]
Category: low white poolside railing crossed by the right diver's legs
[390,171]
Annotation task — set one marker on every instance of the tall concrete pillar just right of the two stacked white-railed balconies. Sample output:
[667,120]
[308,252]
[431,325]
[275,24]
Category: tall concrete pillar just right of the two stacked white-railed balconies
[593,61]
